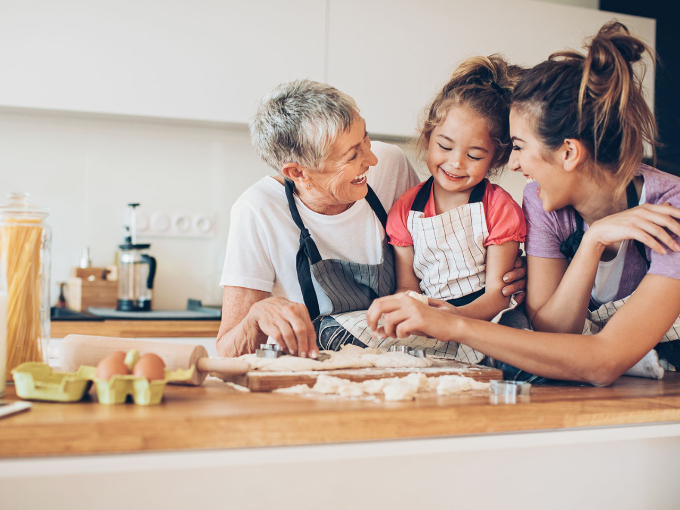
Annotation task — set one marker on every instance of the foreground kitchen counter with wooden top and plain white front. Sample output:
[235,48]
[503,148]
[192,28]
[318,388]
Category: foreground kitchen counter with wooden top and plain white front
[212,446]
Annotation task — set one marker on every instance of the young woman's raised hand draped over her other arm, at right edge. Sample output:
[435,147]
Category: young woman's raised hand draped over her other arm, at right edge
[646,223]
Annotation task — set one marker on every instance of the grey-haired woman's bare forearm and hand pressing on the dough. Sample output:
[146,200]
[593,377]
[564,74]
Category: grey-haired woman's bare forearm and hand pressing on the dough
[249,316]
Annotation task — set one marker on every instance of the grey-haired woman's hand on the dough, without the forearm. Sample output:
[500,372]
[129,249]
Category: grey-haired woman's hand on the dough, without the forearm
[288,323]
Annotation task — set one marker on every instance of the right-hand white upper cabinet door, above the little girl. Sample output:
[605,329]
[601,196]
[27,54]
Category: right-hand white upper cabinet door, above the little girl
[393,55]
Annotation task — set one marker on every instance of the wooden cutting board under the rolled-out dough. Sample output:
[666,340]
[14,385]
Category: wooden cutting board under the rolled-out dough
[268,381]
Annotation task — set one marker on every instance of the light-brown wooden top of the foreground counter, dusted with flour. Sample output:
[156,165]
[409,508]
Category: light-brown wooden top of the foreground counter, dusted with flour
[216,416]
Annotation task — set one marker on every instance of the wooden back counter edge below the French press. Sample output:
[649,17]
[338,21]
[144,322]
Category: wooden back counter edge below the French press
[136,328]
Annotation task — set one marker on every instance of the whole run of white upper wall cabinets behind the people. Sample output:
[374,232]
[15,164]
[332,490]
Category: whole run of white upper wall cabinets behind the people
[212,60]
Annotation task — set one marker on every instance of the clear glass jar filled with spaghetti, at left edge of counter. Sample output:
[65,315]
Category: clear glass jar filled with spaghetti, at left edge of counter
[25,244]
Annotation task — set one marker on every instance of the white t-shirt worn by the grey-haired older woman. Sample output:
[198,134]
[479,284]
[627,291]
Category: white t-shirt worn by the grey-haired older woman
[263,239]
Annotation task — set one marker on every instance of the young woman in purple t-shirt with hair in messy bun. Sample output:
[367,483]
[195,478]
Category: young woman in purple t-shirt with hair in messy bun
[602,242]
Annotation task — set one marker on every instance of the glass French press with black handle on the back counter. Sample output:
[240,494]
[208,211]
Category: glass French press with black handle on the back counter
[136,270]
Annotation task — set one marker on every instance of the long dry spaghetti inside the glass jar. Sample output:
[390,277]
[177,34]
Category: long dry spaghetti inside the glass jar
[20,248]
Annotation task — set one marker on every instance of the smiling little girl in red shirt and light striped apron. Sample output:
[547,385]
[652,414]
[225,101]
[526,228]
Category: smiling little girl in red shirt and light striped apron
[455,235]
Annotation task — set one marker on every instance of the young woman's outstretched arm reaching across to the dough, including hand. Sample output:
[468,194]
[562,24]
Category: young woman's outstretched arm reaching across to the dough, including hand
[598,359]
